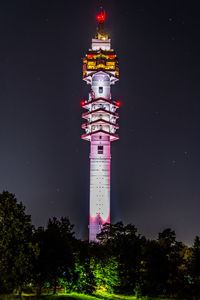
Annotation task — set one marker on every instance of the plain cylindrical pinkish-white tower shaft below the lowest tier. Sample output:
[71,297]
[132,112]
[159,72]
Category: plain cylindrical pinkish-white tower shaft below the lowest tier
[99,184]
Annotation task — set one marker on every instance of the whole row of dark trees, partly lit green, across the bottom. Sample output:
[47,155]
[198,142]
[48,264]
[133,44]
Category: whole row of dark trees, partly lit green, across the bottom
[122,262]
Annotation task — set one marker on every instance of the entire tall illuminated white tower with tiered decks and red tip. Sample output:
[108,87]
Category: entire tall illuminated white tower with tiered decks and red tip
[100,70]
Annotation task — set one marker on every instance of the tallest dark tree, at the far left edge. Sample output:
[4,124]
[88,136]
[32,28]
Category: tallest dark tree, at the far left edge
[17,251]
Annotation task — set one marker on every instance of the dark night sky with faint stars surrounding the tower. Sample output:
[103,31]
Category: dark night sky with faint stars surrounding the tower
[156,162]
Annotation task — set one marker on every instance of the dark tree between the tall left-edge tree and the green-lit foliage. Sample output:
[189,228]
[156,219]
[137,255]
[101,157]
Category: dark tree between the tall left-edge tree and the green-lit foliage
[56,259]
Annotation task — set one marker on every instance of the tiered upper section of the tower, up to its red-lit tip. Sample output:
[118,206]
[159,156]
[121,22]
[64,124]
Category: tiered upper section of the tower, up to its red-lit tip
[100,70]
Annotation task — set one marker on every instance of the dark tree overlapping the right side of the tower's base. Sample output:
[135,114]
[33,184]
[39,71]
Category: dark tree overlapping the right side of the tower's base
[125,244]
